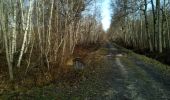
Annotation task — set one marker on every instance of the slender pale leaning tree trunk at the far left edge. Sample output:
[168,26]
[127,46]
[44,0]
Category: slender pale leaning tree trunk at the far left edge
[7,41]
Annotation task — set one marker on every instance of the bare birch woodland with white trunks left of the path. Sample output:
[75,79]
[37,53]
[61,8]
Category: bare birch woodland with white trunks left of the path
[44,33]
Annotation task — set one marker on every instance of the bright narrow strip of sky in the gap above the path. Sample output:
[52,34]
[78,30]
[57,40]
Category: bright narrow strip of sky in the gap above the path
[106,14]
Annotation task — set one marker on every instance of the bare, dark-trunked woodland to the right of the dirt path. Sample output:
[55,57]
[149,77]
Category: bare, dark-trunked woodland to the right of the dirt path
[142,24]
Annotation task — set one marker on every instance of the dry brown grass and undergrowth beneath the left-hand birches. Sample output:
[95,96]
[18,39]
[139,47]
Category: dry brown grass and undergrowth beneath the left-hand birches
[39,75]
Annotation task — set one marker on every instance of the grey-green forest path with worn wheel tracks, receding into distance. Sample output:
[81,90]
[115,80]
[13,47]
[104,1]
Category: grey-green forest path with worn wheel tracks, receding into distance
[133,78]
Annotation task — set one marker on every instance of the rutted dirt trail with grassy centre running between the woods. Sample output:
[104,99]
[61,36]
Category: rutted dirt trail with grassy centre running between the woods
[138,83]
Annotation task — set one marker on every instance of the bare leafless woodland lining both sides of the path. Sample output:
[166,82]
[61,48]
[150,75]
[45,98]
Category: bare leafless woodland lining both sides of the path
[44,34]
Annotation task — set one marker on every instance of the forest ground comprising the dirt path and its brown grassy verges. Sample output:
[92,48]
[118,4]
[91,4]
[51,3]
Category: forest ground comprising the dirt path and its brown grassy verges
[111,73]
